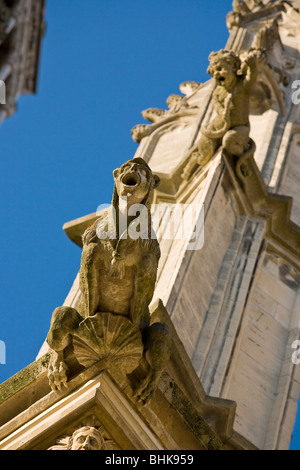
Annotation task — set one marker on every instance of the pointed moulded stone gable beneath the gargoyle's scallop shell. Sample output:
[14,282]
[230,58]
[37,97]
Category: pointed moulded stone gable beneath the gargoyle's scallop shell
[177,417]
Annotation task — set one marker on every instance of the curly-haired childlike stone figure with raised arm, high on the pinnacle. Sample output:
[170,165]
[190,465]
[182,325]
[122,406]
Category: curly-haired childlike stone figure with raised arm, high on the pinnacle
[230,126]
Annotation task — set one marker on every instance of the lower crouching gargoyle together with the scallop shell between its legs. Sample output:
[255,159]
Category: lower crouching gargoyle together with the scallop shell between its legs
[117,278]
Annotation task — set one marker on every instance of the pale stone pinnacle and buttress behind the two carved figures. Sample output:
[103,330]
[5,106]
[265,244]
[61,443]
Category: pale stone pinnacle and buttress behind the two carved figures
[235,303]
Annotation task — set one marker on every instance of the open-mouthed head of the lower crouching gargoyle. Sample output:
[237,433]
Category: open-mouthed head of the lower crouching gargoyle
[135,181]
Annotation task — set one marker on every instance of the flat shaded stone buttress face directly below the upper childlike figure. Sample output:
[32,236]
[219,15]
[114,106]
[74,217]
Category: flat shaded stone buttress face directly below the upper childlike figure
[193,289]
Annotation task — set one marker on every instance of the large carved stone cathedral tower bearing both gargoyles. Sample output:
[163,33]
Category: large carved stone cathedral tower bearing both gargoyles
[228,291]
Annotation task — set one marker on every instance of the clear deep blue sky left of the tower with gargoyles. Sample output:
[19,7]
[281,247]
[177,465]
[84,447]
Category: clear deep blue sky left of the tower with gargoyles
[102,63]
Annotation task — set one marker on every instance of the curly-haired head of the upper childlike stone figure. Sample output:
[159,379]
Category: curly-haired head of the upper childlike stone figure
[224,67]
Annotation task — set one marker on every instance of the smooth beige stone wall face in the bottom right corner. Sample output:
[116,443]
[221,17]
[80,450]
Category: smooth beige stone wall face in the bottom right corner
[259,357]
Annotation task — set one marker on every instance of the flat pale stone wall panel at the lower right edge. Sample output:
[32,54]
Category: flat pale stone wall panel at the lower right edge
[261,358]
